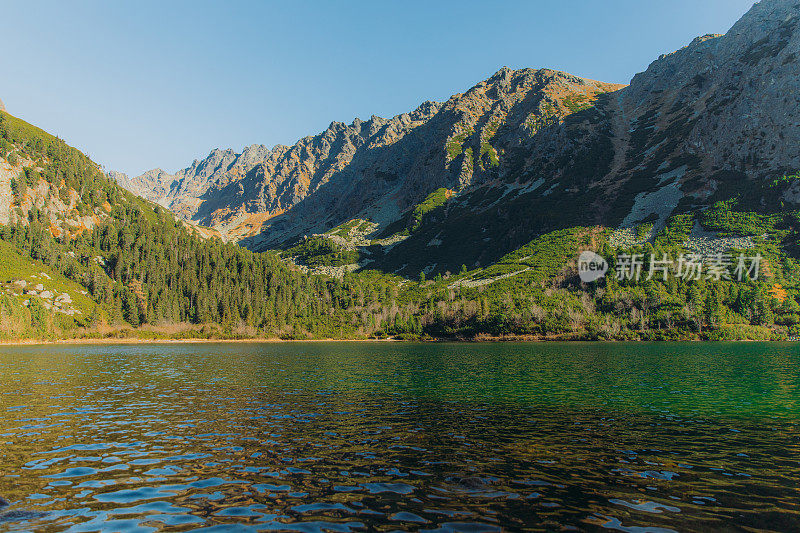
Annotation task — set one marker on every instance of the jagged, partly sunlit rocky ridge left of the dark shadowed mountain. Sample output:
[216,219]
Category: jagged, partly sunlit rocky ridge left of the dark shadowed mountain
[375,168]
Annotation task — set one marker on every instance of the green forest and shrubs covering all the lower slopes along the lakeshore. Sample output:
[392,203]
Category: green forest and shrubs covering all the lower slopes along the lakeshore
[141,272]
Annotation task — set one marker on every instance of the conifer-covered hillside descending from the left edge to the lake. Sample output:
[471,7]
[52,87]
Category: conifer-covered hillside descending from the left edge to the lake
[139,264]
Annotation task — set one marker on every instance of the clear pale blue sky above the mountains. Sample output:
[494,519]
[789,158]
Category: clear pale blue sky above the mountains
[147,84]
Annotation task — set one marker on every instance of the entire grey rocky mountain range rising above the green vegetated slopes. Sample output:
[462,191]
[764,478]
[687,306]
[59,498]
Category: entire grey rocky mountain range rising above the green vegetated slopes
[522,153]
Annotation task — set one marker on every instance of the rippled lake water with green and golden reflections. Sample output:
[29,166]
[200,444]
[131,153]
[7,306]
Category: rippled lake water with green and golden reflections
[389,436]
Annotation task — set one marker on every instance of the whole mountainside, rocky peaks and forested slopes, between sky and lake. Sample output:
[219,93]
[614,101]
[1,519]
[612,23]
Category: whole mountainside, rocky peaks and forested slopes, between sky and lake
[685,183]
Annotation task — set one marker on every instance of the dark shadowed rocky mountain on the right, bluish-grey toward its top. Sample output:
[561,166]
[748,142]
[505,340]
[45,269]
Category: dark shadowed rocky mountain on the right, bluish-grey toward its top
[715,120]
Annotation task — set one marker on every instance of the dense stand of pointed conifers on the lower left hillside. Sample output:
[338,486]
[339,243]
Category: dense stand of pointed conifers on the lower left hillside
[156,272]
